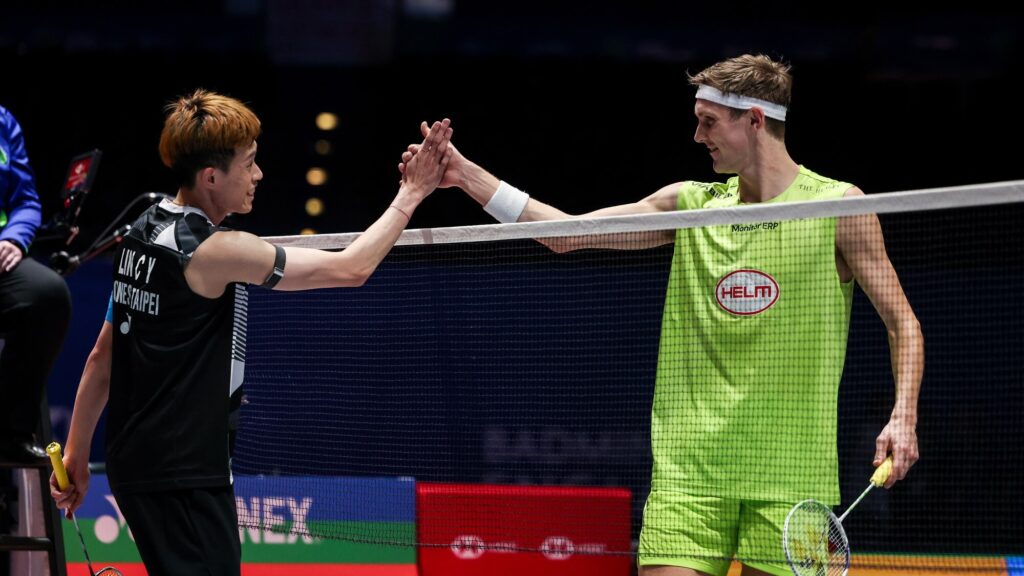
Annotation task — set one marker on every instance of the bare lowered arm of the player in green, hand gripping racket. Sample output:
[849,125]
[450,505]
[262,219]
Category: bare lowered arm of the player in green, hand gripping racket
[862,246]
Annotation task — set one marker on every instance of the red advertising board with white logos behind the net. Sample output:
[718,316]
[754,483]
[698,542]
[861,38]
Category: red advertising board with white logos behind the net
[465,530]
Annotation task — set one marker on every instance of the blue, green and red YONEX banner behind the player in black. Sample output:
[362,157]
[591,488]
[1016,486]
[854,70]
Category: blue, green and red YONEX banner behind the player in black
[338,519]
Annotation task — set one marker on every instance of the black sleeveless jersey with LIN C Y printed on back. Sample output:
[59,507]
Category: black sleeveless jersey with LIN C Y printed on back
[179,360]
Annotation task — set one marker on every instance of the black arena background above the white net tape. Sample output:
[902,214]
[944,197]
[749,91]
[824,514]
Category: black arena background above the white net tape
[584,104]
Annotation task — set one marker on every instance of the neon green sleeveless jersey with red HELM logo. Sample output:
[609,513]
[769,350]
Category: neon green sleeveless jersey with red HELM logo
[752,352]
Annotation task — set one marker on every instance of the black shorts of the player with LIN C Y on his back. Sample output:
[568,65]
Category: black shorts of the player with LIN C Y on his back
[185,532]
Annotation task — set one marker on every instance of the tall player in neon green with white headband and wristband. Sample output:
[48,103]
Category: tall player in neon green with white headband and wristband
[754,334]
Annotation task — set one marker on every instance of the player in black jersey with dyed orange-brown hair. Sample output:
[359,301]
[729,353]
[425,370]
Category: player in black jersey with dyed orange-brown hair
[172,356]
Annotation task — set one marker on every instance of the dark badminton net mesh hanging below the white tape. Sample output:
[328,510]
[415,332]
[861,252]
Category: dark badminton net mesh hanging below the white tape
[491,395]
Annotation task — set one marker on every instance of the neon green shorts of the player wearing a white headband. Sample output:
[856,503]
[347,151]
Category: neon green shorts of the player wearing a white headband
[705,533]
